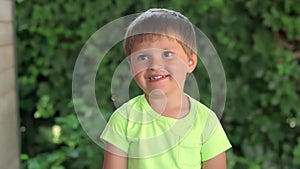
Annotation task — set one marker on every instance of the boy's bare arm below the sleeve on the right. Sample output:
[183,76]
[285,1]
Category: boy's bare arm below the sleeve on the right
[218,162]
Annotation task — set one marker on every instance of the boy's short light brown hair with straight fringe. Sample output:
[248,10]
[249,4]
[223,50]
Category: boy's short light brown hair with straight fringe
[161,22]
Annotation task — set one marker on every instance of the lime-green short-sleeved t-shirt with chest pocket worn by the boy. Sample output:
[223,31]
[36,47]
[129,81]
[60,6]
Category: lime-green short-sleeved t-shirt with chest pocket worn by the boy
[153,141]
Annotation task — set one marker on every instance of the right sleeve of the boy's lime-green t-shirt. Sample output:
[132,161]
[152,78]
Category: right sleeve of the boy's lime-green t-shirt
[214,139]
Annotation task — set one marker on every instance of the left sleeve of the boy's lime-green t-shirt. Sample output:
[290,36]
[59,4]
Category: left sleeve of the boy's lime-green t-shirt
[115,132]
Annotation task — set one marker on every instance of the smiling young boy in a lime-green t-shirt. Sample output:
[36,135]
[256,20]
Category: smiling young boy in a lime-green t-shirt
[164,128]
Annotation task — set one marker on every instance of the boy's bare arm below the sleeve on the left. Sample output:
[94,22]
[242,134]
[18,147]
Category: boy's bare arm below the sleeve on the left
[114,158]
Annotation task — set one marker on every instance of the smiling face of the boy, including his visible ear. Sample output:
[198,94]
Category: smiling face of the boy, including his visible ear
[160,63]
